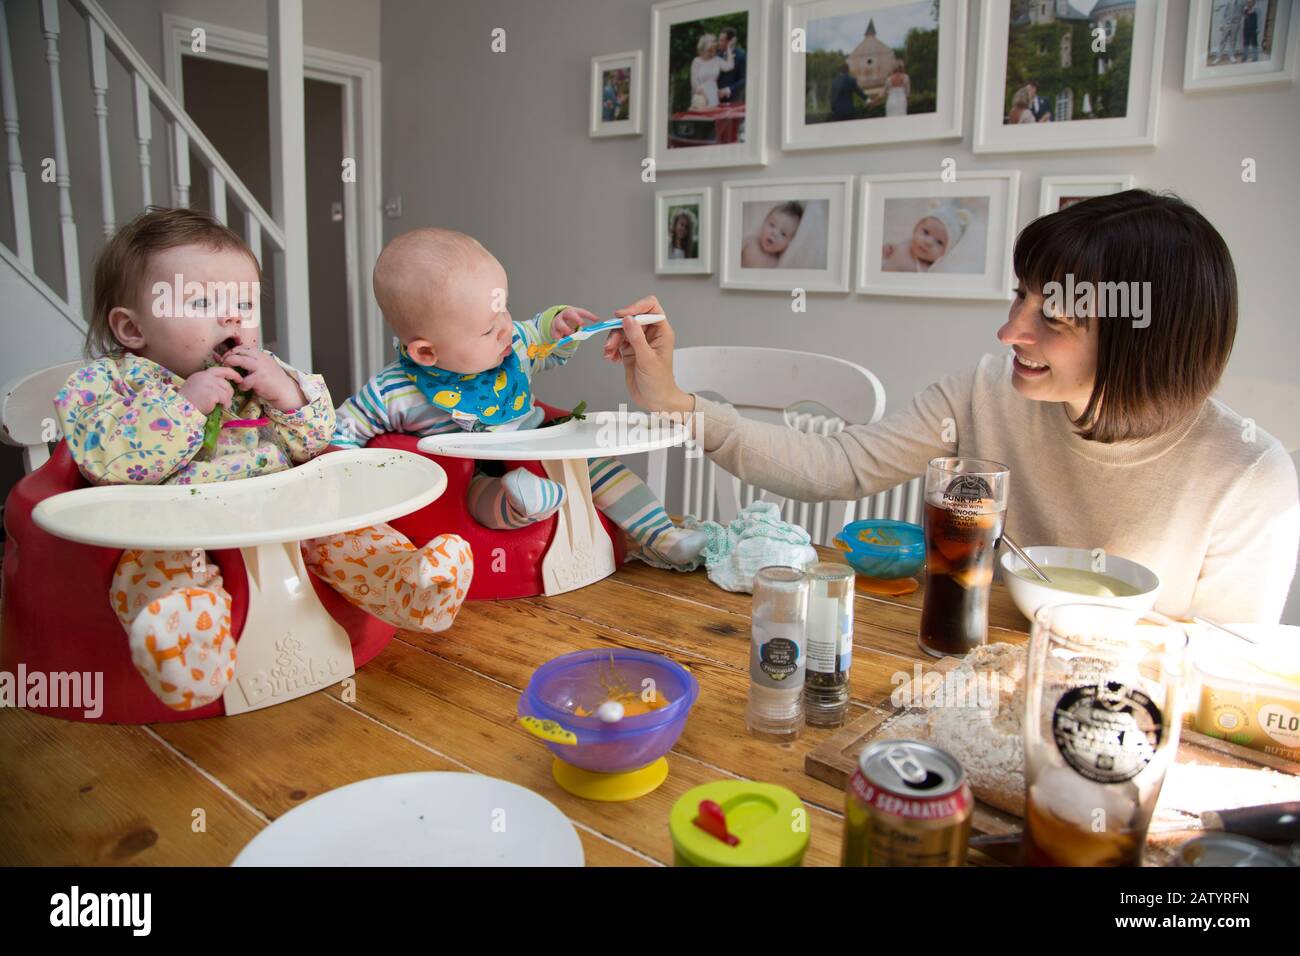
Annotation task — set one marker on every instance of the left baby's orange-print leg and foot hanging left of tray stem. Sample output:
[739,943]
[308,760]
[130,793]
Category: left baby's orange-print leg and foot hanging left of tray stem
[177,618]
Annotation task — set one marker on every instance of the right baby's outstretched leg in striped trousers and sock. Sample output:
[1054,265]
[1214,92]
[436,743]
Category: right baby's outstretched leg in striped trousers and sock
[630,504]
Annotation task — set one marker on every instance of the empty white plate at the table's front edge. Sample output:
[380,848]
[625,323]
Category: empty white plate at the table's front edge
[421,820]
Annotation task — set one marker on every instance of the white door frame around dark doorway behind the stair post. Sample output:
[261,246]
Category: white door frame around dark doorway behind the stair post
[363,214]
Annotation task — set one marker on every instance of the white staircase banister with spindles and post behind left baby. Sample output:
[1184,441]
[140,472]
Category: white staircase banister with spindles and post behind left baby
[44,317]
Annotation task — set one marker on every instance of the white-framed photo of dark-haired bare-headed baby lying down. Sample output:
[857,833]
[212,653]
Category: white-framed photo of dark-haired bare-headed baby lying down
[785,235]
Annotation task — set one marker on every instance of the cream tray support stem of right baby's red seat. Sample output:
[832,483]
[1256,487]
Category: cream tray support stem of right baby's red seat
[582,552]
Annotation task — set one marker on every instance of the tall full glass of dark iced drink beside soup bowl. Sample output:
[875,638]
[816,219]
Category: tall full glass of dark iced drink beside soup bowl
[965,512]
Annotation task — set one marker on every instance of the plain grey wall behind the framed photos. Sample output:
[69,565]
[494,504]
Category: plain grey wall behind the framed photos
[497,145]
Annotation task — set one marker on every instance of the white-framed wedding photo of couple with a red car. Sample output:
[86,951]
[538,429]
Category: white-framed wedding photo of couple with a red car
[669,131]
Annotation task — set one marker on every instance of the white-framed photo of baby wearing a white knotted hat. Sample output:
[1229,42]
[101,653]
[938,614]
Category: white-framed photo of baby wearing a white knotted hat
[921,236]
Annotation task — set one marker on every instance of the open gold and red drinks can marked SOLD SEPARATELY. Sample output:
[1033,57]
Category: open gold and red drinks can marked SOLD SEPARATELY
[908,804]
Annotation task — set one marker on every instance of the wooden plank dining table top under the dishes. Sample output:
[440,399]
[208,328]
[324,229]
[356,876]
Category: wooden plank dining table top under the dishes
[194,793]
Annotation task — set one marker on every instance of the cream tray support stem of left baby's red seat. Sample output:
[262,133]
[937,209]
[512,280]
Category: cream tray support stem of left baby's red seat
[291,646]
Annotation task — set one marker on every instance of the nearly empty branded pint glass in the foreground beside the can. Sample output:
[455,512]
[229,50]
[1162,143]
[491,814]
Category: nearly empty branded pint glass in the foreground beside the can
[1103,708]
